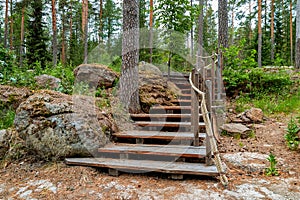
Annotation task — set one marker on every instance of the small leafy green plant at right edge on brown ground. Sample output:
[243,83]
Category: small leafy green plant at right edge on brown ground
[291,137]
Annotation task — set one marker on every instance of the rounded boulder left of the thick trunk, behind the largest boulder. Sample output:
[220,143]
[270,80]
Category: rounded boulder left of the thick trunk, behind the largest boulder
[95,75]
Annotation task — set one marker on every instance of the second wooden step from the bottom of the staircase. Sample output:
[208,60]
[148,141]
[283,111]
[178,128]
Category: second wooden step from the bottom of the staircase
[156,150]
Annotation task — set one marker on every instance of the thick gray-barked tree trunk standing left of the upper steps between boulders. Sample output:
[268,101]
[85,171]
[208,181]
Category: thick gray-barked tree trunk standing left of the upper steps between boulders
[129,81]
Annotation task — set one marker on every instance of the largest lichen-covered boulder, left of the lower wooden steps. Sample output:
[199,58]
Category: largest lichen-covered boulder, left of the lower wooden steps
[55,125]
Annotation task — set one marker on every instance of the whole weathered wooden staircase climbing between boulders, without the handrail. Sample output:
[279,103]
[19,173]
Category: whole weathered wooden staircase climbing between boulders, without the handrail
[162,142]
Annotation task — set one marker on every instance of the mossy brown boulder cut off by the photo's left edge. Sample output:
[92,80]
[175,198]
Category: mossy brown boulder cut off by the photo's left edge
[12,96]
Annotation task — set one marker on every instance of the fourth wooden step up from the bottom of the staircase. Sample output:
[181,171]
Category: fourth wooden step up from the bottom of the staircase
[166,124]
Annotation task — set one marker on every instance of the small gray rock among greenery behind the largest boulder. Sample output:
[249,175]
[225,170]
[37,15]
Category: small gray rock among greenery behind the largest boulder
[47,82]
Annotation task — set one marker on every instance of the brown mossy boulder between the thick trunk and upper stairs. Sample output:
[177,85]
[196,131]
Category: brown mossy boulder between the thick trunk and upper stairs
[154,88]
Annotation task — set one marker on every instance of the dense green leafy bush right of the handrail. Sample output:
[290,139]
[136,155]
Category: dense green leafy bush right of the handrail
[242,76]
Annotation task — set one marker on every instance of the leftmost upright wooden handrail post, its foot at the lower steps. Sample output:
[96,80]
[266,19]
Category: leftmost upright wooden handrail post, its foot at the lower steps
[195,108]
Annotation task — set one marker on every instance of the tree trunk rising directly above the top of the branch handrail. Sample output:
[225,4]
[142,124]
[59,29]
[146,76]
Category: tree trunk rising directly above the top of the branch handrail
[223,24]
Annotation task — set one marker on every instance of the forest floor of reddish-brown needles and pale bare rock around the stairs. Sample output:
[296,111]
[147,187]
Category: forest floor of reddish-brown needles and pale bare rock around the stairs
[27,180]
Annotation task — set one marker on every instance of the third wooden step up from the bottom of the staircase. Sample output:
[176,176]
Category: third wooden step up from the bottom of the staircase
[161,135]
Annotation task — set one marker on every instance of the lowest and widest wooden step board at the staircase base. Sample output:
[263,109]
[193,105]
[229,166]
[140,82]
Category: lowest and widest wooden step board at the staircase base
[146,166]
